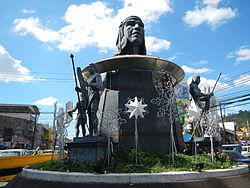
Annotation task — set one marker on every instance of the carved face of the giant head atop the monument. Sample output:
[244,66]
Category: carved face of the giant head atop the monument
[134,31]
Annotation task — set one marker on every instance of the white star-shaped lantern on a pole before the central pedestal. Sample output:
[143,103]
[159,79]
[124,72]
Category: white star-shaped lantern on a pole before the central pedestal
[136,108]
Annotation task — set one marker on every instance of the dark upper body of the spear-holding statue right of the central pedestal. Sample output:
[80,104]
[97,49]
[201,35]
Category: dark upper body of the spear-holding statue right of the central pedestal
[198,96]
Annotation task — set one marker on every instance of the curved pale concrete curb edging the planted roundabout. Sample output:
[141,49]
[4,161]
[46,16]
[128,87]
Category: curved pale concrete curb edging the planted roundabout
[133,178]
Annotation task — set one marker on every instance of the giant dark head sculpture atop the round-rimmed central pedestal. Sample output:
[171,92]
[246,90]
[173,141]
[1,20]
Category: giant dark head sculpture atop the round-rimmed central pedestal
[130,38]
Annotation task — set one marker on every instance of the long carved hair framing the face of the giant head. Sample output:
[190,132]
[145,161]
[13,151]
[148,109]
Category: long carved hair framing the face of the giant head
[122,41]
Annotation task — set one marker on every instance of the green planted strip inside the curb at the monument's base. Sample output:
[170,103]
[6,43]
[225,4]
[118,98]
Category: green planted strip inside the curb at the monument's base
[122,162]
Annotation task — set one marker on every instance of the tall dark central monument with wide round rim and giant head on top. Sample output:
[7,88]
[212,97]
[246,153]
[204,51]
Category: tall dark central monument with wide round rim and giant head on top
[131,73]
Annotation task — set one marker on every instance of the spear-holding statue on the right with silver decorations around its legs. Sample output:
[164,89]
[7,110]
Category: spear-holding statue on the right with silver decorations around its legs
[203,117]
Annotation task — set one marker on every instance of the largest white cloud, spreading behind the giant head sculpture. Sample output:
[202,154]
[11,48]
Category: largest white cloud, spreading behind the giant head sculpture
[95,24]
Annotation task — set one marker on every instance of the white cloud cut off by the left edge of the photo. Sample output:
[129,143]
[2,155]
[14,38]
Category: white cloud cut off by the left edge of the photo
[11,69]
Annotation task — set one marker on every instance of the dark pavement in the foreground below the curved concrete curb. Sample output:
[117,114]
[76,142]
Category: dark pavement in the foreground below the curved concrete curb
[241,181]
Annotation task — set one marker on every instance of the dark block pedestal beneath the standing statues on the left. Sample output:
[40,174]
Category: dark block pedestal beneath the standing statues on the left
[87,148]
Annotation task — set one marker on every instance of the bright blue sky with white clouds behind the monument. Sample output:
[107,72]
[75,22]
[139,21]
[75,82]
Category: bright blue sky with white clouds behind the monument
[37,37]
